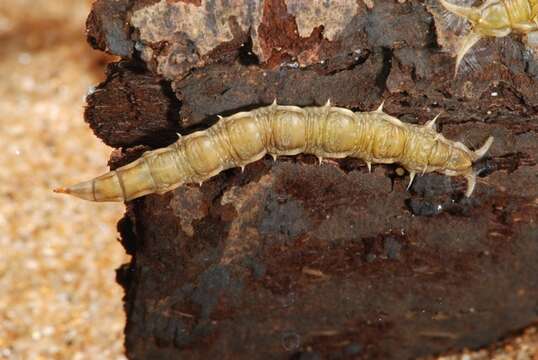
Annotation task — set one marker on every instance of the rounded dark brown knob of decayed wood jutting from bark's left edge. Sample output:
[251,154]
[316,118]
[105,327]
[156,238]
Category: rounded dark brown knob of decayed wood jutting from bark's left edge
[133,107]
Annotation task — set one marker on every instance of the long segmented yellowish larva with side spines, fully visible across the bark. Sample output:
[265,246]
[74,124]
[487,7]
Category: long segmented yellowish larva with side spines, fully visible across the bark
[245,137]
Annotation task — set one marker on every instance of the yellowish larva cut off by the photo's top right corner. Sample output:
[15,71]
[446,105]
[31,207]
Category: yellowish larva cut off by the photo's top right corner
[496,18]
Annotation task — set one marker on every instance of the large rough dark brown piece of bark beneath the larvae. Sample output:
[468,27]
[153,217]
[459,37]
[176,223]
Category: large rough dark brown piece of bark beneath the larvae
[292,259]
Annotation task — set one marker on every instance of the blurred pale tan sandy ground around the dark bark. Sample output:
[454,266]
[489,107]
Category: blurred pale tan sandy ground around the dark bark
[58,296]
